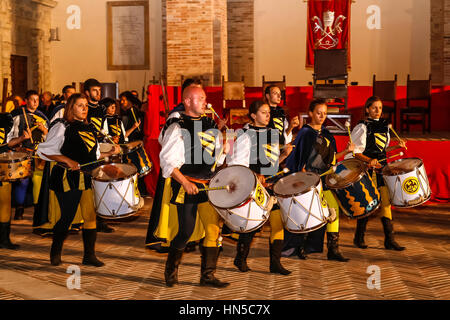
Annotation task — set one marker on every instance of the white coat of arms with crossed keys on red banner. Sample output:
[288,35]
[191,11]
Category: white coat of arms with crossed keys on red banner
[326,32]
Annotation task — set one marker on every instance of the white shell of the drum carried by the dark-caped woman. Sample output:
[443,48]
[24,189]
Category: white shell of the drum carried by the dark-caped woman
[304,212]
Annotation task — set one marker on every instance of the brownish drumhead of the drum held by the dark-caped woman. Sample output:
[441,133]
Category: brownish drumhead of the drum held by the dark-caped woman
[296,183]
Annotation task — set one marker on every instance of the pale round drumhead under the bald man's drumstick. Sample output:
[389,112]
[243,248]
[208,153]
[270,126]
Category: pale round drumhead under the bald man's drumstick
[242,183]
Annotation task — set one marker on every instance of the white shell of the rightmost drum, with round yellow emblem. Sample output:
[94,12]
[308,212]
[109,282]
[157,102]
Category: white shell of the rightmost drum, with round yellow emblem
[409,189]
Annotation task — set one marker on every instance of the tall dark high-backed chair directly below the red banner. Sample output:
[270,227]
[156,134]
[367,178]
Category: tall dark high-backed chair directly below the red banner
[330,77]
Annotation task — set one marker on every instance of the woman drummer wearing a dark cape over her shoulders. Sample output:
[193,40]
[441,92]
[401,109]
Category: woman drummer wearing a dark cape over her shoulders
[315,151]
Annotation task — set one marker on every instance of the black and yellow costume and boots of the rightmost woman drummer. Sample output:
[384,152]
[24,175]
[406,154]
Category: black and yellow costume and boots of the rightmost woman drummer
[371,138]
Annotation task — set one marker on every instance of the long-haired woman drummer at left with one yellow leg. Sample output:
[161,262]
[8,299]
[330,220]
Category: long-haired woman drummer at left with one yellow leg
[72,144]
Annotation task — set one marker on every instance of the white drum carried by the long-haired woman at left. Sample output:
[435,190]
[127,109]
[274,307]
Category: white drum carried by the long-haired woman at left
[116,194]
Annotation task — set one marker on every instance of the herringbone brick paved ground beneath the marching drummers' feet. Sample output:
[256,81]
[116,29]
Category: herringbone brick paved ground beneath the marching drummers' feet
[422,271]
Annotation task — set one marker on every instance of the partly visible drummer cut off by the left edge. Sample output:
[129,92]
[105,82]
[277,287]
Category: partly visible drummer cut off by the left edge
[6,123]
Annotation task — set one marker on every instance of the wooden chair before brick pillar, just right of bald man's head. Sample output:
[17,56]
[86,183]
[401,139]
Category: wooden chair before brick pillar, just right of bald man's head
[234,91]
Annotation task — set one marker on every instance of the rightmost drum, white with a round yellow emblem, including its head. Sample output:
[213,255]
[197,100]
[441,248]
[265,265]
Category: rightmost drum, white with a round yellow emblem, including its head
[407,182]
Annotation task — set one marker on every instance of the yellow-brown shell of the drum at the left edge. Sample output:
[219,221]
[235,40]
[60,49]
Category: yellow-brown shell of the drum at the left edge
[16,169]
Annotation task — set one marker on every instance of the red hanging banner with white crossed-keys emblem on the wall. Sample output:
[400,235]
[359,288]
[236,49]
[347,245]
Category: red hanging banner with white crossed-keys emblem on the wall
[328,27]
